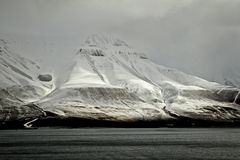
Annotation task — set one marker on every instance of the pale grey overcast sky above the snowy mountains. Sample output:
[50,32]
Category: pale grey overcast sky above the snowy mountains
[201,37]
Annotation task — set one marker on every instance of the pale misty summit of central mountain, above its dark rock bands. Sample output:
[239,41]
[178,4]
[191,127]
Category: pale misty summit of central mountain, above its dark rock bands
[104,40]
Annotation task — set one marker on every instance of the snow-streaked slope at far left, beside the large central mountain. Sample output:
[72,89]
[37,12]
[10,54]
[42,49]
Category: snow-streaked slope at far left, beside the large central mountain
[19,85]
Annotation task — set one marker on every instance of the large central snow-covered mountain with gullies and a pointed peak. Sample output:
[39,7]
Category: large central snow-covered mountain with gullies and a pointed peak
[108,80]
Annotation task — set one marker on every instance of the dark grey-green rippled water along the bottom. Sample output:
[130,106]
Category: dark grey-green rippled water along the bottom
[119,143]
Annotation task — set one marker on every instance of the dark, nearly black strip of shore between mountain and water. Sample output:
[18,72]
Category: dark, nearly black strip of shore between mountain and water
[91,123]
